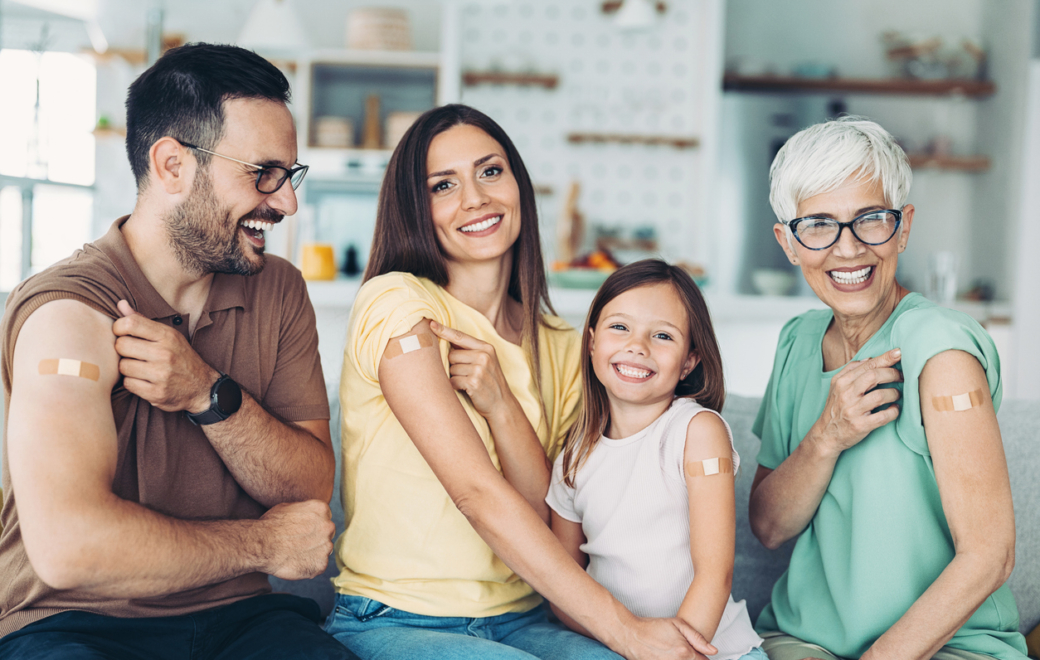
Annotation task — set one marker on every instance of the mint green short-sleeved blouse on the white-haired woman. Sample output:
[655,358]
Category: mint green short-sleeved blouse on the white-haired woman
[880,537]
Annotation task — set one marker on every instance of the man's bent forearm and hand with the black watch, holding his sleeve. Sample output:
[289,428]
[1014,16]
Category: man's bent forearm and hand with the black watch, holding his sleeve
[275,462]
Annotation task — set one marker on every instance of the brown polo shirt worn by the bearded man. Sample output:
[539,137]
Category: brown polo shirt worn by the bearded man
[259,330]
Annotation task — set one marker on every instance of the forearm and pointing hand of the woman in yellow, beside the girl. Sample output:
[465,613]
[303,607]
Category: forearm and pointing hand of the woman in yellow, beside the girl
[476,372]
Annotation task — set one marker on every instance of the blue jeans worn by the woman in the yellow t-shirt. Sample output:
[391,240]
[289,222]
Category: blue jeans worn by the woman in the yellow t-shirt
[375,631]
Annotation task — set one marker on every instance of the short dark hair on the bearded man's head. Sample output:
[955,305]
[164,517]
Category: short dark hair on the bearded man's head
[183,96]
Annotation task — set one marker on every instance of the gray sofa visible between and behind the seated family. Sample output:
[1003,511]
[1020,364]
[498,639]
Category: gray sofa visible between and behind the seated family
[757,569]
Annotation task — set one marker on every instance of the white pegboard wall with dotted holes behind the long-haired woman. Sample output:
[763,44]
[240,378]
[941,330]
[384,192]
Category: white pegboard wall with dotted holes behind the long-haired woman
[646,84]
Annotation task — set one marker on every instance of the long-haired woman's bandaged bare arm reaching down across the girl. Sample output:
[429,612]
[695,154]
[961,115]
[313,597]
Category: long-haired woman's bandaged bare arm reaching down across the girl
[443,433]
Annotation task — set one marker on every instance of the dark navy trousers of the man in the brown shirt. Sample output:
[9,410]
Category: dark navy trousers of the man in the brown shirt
[273,626]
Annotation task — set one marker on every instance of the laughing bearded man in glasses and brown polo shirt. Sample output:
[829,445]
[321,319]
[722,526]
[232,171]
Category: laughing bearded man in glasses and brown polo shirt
[159,468]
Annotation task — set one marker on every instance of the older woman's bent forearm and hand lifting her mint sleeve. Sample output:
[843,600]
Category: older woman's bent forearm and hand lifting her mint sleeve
[785,500]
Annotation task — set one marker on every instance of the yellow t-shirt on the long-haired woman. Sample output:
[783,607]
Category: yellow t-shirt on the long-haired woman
[406,544]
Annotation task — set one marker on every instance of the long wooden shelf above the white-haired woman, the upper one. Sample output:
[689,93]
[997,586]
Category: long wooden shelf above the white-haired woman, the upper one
[975,89]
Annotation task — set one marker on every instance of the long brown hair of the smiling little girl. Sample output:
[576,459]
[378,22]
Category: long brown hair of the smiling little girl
[706,384]
